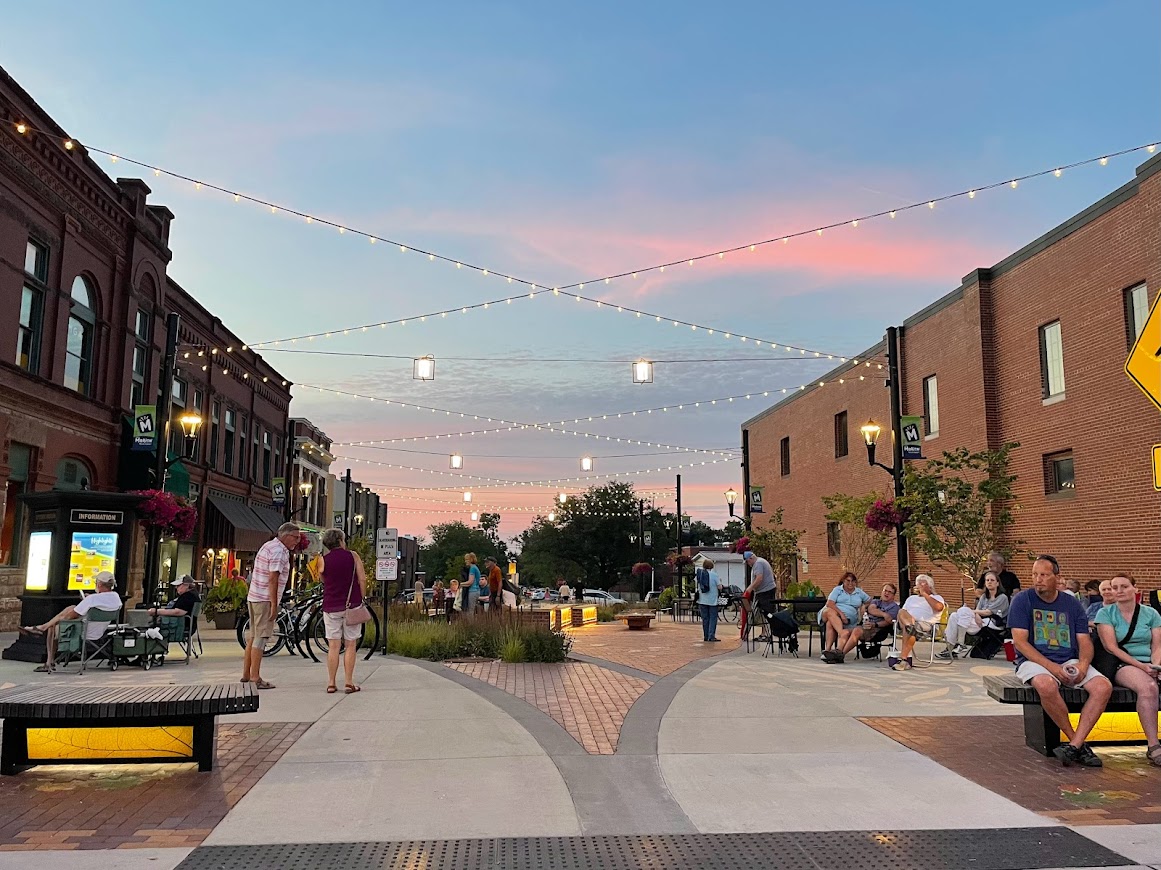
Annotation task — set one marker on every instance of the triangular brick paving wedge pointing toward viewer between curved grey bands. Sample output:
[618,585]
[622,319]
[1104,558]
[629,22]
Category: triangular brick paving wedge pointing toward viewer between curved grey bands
[587,701]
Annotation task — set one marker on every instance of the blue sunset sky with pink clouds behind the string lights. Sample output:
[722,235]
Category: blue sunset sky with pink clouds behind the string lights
[566,145]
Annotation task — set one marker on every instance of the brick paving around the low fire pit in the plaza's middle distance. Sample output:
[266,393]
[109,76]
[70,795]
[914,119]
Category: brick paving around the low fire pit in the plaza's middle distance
[662,650]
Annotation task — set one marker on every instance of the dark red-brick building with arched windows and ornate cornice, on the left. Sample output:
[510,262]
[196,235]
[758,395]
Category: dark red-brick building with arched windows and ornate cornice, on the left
[83,271]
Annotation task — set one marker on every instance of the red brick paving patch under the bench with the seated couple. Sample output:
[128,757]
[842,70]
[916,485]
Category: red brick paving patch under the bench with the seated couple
[1126,792]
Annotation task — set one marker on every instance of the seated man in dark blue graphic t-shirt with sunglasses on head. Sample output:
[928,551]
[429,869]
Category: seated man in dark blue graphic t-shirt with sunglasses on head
[1054,649]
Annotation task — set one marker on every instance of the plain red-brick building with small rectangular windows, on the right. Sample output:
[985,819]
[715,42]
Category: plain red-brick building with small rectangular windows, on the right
[1032,350]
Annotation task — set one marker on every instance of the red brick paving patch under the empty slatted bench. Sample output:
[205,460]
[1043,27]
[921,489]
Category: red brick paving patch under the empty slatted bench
[129,807]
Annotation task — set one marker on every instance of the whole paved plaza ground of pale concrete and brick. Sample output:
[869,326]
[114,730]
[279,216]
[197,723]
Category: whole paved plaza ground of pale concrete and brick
[691,753]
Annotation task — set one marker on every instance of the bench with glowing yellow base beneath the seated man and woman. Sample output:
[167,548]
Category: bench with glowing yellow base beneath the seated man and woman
[1119,724]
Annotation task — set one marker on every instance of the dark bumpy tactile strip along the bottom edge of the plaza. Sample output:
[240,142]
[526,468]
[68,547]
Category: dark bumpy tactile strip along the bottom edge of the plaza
[972,850]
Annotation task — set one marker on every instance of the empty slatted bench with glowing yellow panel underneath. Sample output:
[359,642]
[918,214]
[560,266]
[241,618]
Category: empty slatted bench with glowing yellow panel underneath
[61,725]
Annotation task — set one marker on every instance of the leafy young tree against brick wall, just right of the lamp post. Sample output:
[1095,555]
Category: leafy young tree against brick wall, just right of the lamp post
[960,508]
